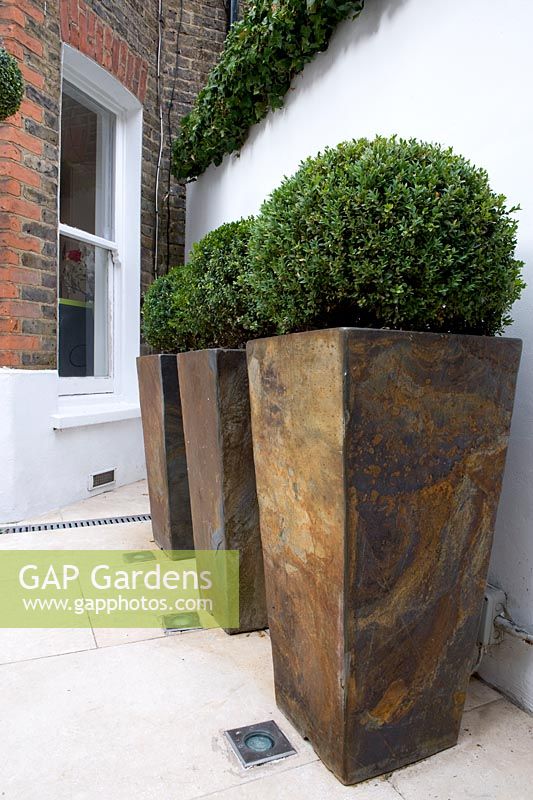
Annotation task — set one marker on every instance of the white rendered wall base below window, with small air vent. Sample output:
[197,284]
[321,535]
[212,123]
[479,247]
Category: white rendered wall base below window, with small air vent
[44,468]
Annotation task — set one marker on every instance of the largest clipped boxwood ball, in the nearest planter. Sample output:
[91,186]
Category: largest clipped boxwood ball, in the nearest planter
[388,234]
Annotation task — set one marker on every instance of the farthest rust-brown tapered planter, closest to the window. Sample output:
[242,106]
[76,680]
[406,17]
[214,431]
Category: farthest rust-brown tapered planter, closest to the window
[164,446]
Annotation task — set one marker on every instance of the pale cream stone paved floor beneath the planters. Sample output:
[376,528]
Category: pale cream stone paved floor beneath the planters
[135,715]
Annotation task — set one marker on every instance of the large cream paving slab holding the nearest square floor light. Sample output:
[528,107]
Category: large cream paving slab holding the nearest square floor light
[143,720]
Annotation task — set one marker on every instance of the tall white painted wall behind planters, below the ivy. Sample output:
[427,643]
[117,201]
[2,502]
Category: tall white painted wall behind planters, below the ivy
[459,73]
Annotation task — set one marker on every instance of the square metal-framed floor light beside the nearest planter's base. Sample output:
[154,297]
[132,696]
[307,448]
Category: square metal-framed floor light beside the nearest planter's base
[259,744]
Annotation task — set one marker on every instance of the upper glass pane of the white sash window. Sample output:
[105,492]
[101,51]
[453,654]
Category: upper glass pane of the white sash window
[86,189]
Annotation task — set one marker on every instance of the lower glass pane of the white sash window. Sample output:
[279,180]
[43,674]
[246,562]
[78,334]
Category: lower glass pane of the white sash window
[84,309]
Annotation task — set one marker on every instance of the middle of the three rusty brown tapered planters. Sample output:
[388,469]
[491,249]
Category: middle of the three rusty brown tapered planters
[218,438]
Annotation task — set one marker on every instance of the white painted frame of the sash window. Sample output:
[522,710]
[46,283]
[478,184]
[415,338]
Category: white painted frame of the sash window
[120,388]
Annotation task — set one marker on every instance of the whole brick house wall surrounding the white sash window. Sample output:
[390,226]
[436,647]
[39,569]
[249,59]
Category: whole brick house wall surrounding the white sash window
[122,36]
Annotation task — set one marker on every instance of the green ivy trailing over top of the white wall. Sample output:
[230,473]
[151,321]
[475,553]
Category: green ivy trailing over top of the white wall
[262,54]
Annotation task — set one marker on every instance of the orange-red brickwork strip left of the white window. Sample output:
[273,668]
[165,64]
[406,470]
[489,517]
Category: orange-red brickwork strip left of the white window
[28,166]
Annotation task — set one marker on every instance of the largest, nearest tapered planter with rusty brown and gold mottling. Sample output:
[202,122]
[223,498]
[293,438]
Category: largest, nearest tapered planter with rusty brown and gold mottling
[379,459]
